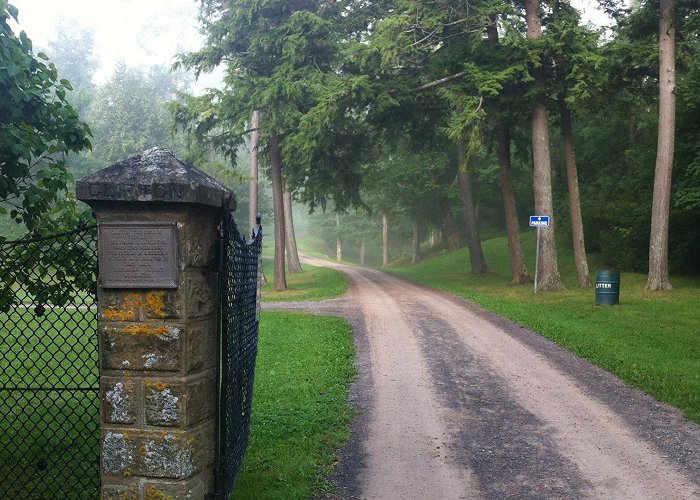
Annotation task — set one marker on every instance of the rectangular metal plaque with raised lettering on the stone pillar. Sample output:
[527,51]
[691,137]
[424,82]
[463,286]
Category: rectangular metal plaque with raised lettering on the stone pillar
[138,255]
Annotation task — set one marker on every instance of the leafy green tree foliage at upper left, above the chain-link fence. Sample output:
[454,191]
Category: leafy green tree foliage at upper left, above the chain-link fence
[38,128]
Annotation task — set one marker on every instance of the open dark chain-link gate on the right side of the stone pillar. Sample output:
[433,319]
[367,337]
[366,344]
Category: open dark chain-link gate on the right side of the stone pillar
[239,301]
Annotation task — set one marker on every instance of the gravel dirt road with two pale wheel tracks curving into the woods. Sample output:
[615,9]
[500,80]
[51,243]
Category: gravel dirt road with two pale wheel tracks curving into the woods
[458,403]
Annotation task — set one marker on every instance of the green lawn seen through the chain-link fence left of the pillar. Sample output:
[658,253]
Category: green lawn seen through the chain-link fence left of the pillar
[49,440]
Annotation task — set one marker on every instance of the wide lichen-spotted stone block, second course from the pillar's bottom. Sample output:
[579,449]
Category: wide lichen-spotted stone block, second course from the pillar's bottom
[157,453]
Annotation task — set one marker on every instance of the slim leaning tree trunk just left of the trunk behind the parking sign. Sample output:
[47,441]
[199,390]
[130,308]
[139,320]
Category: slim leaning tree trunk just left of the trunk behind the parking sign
[515,248]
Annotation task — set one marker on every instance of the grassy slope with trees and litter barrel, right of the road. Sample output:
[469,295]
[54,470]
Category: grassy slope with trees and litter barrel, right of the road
[651,340]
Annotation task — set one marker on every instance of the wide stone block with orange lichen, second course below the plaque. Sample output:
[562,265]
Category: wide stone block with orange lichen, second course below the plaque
[141,346]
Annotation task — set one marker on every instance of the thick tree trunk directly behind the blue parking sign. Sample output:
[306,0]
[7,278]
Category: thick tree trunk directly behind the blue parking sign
[549,278]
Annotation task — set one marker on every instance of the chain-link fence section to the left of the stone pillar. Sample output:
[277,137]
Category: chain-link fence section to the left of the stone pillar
[49,380]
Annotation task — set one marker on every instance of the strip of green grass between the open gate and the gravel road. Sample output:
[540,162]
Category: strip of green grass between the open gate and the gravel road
[300,412]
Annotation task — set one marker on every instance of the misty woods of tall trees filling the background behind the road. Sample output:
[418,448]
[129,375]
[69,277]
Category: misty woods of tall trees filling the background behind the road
[411,121]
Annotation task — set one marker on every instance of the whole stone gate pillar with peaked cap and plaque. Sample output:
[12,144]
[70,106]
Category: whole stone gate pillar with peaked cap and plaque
[157,323]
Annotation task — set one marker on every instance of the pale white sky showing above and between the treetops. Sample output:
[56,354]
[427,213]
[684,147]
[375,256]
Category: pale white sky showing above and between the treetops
[144,32]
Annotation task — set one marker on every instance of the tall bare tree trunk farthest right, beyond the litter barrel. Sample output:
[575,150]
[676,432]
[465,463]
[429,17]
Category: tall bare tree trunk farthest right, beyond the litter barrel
[658,244]
